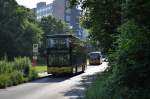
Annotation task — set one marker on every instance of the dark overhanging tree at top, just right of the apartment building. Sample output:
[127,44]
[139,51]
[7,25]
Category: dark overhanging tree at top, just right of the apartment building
[101,18]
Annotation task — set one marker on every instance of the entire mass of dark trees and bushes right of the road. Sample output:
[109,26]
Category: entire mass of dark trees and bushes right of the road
[122,30]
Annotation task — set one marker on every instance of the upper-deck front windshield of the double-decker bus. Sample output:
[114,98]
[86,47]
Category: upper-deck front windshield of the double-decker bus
[58,43]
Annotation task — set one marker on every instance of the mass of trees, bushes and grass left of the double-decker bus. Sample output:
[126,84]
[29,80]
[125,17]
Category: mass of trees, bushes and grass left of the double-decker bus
[19,30]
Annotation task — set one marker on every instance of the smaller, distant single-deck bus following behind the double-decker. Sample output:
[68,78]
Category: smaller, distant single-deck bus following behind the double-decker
[95,58]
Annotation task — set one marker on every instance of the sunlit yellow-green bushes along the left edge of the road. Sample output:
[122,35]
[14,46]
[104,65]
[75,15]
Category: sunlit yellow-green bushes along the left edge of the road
[16,72]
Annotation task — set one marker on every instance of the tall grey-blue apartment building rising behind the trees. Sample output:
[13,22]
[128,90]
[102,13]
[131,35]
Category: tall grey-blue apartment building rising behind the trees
[60,10]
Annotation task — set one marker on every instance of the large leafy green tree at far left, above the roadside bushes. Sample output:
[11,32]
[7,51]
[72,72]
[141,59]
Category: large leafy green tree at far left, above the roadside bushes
[19,30]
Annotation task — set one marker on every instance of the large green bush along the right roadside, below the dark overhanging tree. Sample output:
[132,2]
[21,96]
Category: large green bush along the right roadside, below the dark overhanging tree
[128,76]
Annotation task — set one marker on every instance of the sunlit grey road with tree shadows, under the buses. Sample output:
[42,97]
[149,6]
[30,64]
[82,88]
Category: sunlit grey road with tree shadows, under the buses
[53,87]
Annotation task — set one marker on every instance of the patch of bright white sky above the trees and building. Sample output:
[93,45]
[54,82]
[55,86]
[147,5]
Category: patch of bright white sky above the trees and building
[32,3]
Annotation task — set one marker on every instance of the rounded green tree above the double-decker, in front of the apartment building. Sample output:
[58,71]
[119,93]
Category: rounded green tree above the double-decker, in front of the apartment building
[51,25]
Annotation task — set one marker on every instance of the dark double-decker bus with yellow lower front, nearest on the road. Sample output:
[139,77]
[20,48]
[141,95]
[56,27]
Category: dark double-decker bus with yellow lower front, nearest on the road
[66,54]
